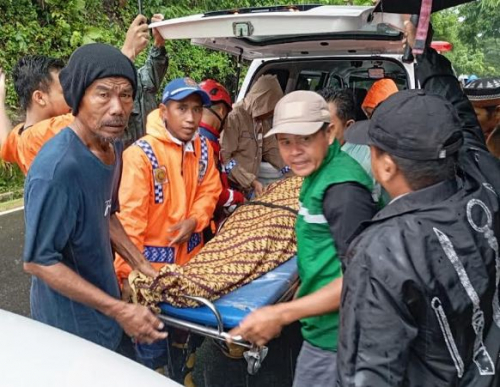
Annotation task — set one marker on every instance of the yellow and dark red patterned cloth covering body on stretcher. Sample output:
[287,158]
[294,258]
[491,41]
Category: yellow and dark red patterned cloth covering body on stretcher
[255,239]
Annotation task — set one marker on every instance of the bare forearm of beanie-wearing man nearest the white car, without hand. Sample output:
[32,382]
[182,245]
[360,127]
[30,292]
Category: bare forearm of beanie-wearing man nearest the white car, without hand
[65,281]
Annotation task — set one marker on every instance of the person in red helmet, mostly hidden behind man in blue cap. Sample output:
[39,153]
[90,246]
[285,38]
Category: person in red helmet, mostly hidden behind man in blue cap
[211,127]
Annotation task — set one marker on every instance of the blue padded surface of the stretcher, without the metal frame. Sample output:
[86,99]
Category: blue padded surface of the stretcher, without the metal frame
[234,307]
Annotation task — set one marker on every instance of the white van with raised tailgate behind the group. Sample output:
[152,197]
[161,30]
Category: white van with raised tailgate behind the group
[308,47]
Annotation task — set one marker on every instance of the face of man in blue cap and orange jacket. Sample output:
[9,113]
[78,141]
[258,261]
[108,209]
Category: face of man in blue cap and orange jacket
[182,118]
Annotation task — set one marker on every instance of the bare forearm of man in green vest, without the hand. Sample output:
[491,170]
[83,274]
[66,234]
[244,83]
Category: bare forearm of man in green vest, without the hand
[323,301]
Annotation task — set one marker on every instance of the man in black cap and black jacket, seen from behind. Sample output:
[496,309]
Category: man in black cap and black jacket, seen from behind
[420,304]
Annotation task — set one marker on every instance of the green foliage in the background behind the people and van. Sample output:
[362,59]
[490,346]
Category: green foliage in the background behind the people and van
[58,27]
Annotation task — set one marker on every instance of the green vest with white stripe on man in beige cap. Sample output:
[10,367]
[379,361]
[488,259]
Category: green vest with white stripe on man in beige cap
[318,261]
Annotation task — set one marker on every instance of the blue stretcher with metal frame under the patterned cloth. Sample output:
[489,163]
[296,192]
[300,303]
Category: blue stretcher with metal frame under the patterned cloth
[215,319]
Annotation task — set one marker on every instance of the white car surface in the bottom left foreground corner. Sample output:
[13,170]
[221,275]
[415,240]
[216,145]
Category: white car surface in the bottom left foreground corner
[33,354]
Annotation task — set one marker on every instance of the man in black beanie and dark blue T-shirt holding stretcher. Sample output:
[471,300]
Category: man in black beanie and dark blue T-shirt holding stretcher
[70,205]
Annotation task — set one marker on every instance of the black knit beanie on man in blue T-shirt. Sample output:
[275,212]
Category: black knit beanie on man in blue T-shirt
[89,63]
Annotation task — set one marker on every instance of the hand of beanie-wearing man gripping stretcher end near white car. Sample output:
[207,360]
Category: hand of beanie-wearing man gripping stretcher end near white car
[140,323]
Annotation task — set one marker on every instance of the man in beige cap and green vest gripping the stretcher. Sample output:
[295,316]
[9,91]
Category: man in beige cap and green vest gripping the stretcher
[335,198]
